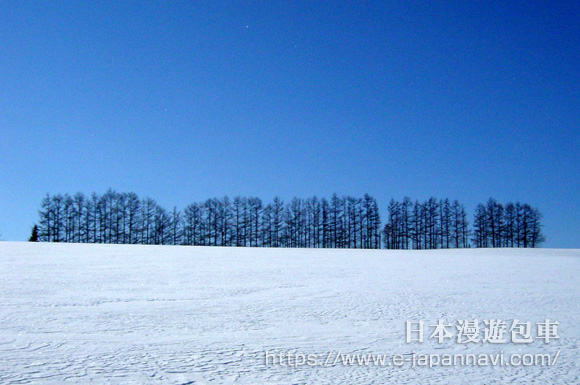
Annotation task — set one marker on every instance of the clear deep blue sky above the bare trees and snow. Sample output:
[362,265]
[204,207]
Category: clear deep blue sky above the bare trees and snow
[184,101]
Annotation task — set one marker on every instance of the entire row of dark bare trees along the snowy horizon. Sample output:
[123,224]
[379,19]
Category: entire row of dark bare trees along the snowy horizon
[338,222]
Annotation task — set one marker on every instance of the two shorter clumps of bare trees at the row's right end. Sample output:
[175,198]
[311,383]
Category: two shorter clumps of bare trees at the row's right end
[442,224]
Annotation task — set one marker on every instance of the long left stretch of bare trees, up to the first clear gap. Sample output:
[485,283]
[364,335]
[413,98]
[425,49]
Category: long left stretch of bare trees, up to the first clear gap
[340,222]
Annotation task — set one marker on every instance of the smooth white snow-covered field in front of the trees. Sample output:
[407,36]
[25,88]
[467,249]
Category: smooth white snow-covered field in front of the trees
[110,314]
